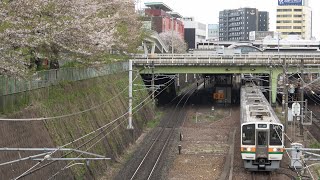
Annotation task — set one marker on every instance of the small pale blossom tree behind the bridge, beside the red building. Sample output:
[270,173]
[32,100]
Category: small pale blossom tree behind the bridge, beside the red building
[174,39]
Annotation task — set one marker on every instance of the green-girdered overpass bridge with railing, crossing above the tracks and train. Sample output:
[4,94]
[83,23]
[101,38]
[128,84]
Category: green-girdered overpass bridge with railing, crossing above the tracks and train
[273,65]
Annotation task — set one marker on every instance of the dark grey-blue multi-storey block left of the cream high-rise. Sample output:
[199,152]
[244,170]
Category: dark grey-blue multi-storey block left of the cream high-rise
[235,24]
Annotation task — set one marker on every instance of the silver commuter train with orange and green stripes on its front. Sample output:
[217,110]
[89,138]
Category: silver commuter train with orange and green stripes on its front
[262,140]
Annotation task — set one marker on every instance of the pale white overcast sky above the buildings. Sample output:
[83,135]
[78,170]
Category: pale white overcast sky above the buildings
[207,11]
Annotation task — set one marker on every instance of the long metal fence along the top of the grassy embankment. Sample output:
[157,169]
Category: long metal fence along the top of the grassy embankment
[9,85]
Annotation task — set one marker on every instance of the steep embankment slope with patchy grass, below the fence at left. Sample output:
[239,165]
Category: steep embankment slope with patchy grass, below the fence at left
[92,103]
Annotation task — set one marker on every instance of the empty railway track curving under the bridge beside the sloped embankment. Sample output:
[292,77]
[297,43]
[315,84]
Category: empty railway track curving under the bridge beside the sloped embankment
[148,164]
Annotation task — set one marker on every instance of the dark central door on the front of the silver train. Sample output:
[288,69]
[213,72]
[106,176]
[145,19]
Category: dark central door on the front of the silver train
[262,147]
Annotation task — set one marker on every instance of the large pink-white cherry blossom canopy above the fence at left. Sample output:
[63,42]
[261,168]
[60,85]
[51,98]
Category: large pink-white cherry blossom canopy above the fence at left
[83,27]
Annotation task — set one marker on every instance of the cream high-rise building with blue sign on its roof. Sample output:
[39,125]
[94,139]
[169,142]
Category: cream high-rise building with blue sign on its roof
[294,17]
